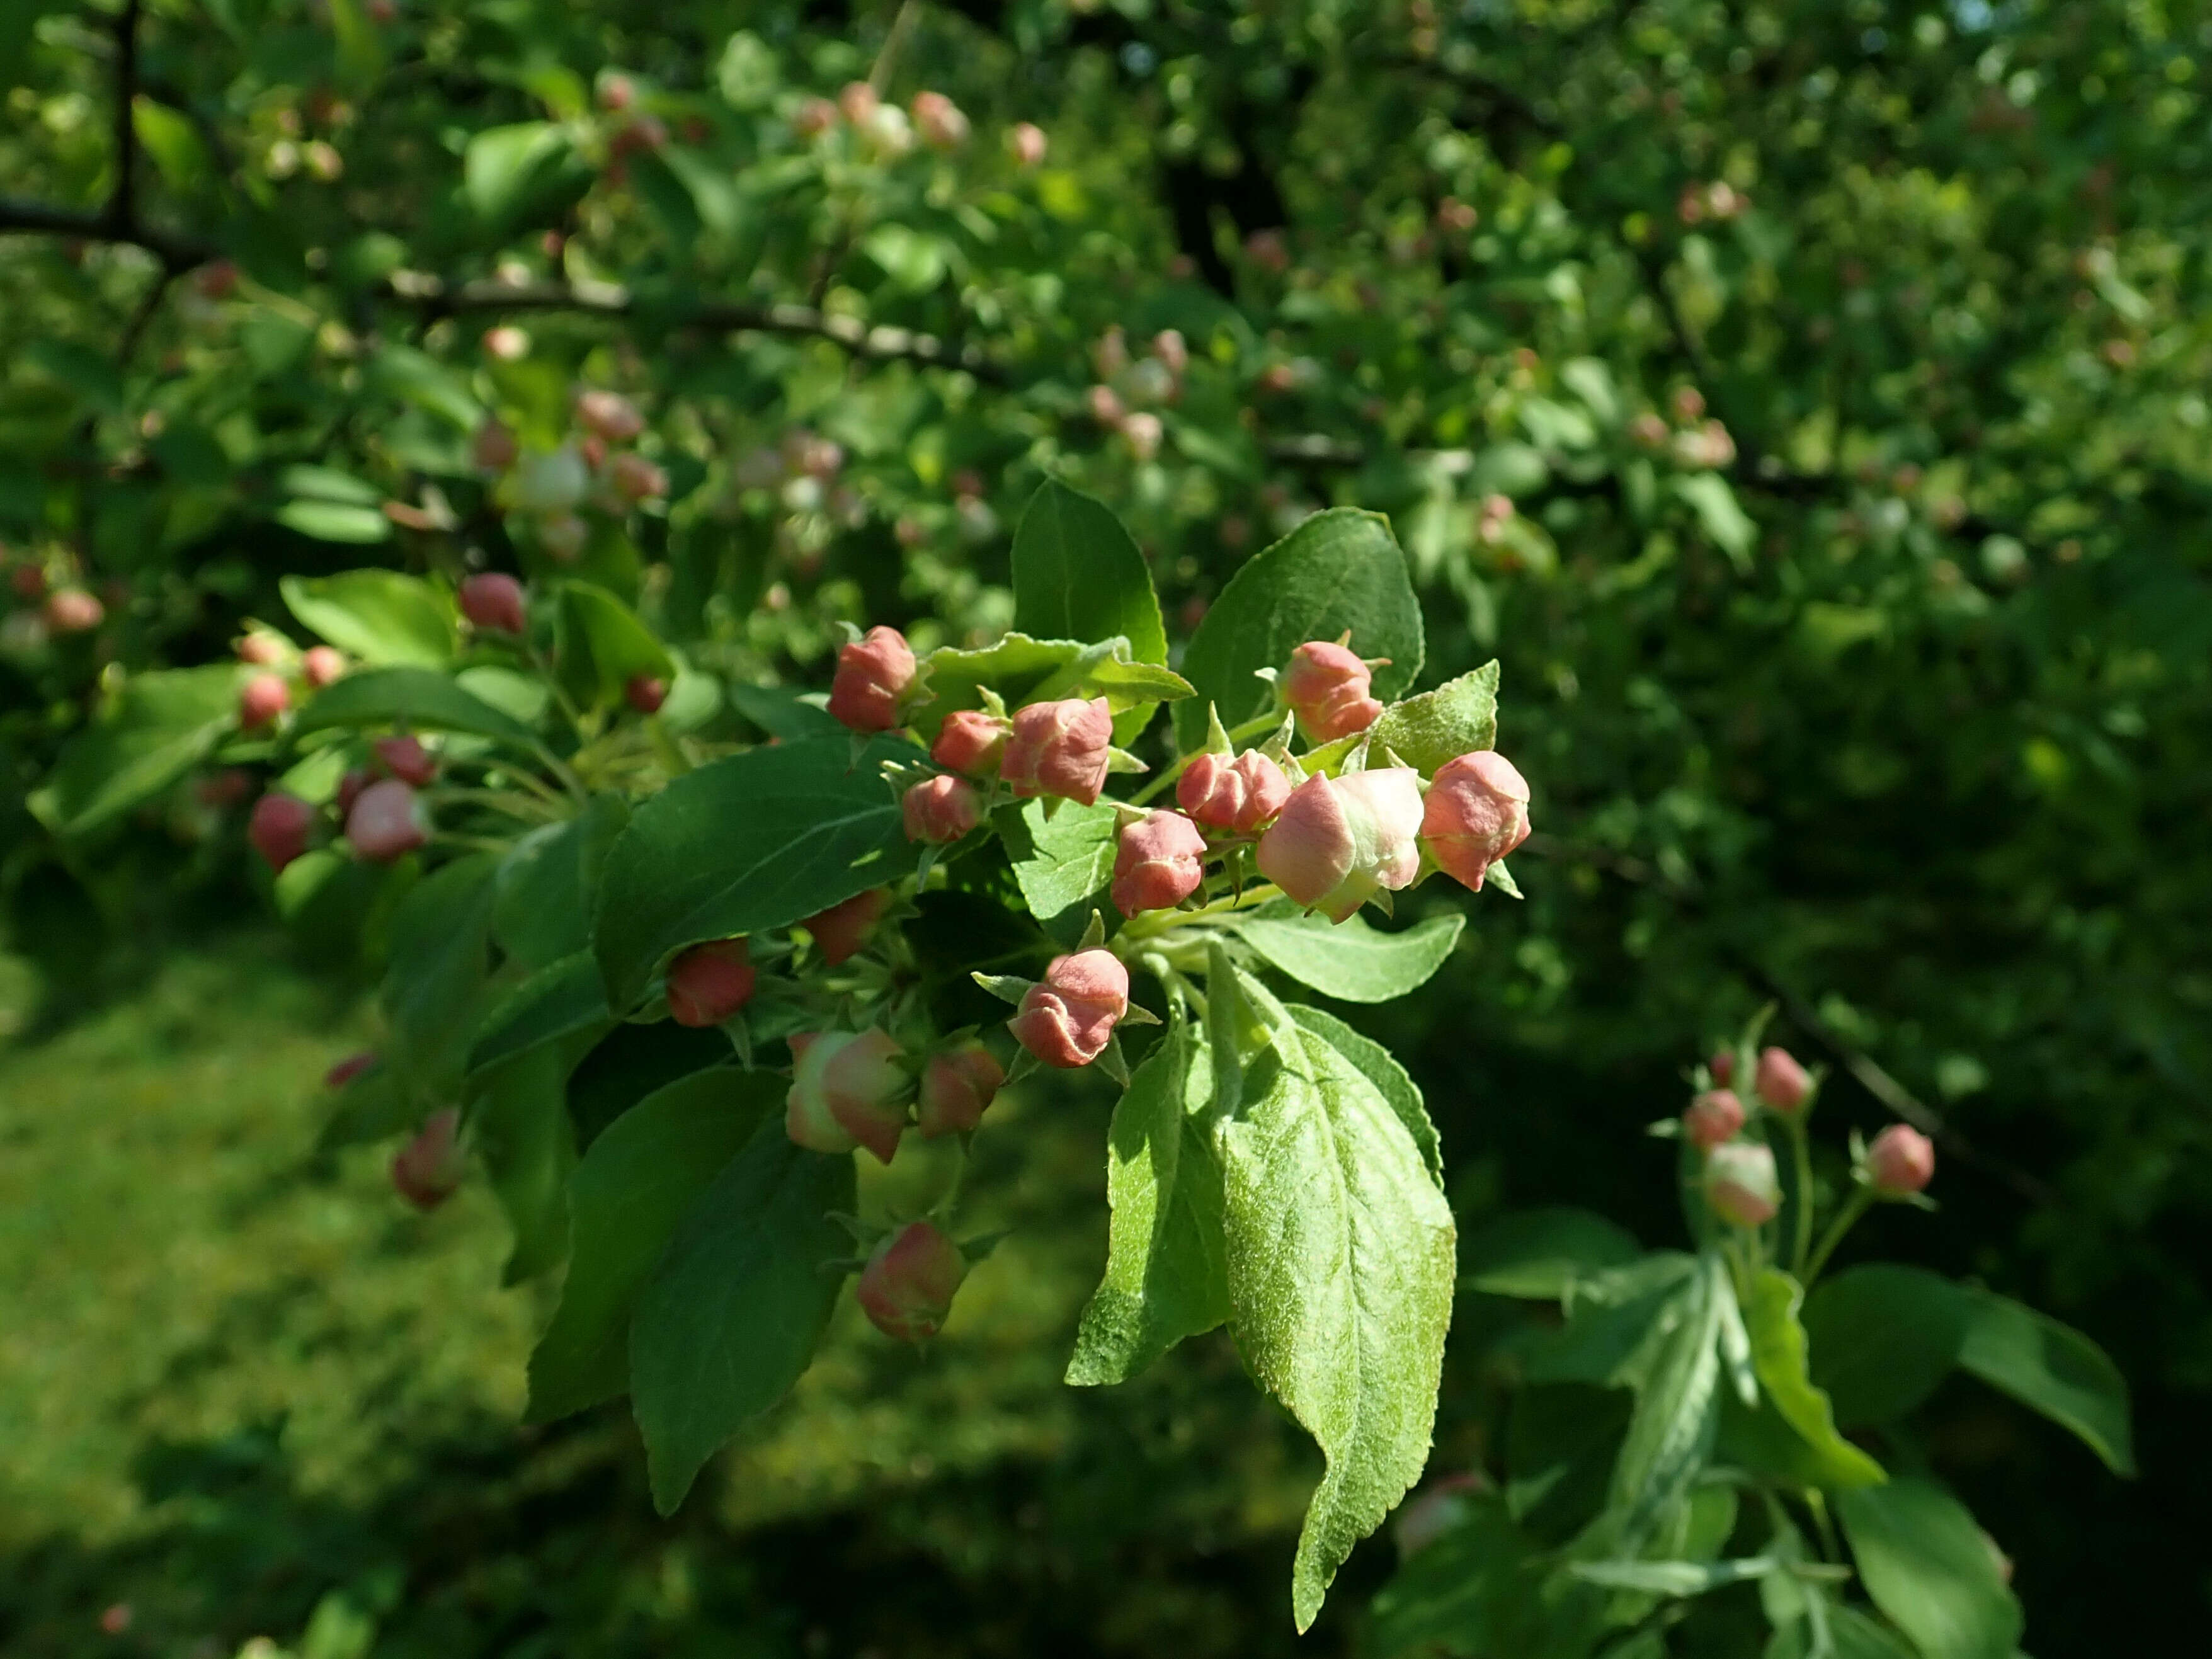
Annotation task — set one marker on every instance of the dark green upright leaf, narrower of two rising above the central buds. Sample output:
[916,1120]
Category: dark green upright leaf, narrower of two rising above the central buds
[1078,576]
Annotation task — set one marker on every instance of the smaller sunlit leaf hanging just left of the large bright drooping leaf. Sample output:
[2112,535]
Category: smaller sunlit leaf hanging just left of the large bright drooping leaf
[1167,1275]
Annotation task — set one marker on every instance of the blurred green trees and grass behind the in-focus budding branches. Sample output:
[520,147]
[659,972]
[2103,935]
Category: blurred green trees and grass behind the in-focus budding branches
[1804,401]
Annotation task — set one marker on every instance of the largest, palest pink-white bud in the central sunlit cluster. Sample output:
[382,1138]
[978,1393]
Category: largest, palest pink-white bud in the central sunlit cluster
[1342,842]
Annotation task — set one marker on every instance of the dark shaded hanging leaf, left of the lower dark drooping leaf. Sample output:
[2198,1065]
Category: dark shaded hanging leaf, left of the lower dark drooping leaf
[625,1202]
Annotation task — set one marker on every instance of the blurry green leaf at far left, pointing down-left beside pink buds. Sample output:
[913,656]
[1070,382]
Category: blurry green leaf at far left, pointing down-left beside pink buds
[147,733]
